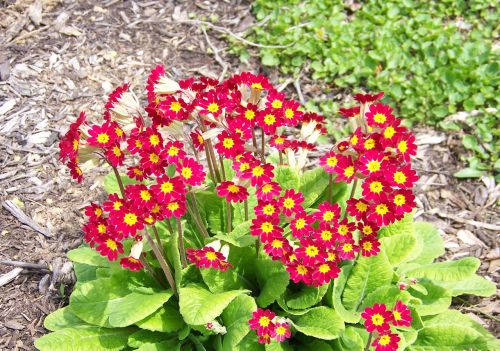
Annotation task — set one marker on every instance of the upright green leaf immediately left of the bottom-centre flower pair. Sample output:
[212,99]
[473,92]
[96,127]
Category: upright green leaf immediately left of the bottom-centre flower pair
[235,318]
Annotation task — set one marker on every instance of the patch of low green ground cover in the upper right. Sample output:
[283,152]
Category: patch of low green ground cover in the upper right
[433,58]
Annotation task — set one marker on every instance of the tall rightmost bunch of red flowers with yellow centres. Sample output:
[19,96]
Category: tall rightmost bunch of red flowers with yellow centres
[378,154]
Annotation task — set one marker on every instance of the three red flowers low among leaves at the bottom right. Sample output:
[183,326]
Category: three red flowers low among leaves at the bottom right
[379,319]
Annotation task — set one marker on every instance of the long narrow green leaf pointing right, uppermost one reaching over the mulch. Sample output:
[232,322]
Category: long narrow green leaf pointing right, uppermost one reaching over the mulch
[445,271]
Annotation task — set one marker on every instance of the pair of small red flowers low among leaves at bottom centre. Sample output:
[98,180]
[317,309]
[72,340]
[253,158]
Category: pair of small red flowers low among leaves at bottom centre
[268,326]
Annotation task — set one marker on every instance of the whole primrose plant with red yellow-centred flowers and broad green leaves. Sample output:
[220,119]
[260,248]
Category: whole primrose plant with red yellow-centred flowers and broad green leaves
[226,228]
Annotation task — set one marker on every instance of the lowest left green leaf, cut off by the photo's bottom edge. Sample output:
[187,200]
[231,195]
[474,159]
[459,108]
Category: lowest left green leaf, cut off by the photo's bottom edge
[85,338]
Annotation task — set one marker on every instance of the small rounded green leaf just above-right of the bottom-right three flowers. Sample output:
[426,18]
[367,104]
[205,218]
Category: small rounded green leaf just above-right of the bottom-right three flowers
[436,300]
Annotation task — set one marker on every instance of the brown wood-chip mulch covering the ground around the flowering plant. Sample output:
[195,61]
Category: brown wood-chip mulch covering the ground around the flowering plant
[51,68]
